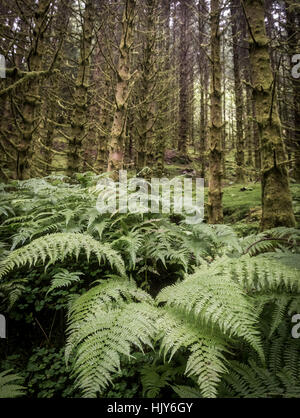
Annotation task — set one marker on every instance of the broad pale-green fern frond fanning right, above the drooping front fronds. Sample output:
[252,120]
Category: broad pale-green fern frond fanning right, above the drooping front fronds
[215,300]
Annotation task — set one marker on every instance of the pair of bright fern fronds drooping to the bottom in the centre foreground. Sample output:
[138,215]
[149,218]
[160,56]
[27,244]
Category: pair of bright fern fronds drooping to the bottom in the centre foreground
[113,317]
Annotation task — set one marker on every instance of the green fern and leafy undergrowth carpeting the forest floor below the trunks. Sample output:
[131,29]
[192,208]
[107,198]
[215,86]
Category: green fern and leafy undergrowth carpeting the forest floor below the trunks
[140,304]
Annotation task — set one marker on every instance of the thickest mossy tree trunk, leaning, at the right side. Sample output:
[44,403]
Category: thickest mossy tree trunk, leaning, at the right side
[277,207]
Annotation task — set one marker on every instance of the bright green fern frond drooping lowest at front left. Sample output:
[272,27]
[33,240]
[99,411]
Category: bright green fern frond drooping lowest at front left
[105,332]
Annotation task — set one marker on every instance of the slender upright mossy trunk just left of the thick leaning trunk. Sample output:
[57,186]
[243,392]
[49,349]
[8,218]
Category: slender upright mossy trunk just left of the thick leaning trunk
[215,209]
